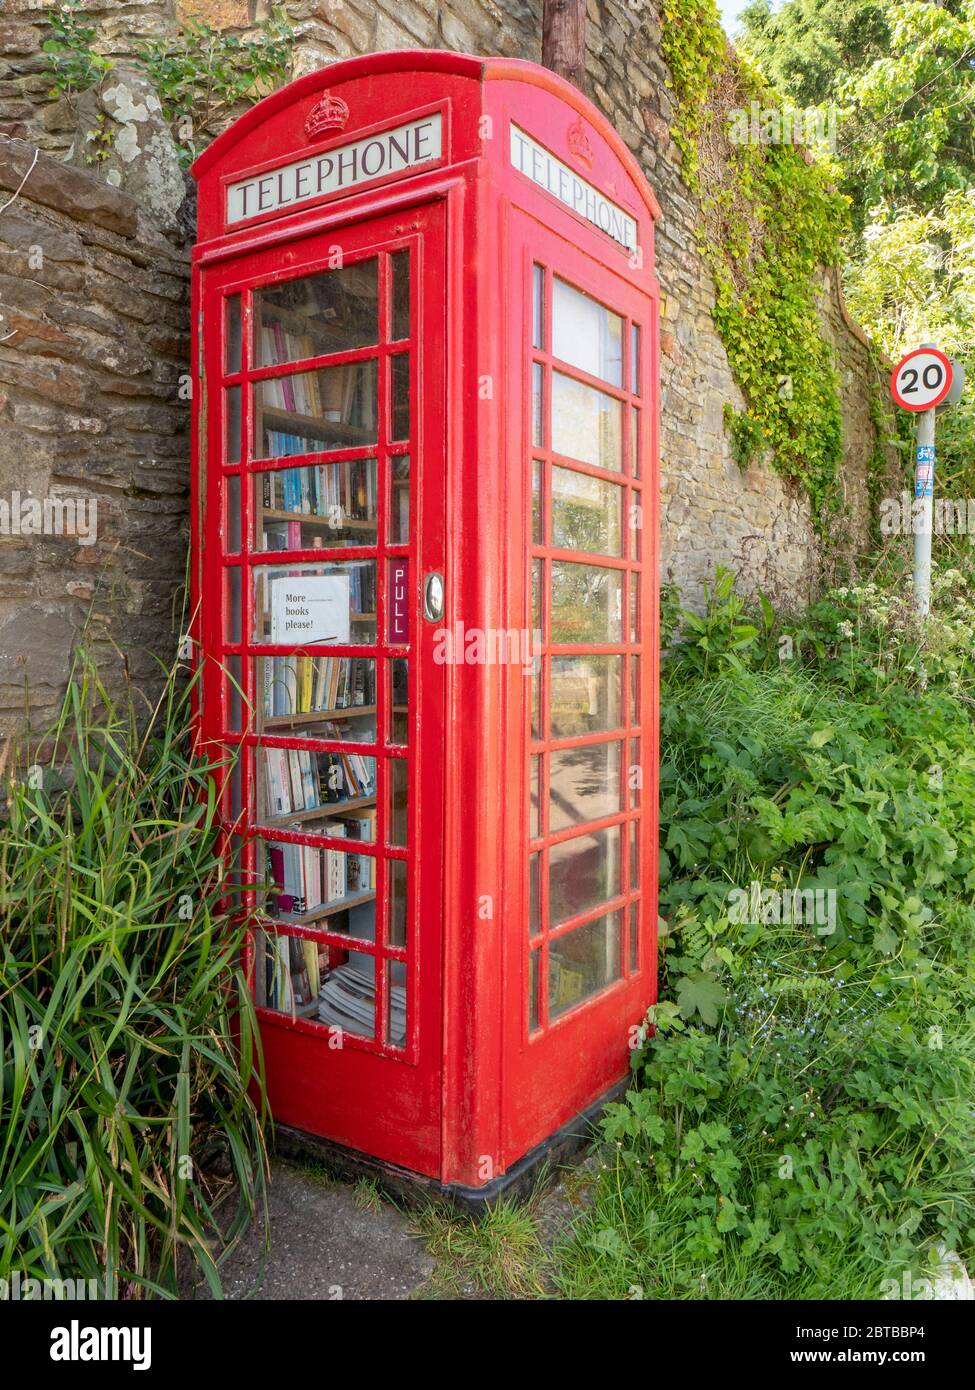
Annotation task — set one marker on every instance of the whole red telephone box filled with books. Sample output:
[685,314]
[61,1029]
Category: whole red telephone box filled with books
[425,523]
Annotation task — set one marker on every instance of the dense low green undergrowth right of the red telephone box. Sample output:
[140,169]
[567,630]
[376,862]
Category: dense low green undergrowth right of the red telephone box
[800,1124]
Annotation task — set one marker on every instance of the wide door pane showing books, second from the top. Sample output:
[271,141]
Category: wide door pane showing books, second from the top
[312,412]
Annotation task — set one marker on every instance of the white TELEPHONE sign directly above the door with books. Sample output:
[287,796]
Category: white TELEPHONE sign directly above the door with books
[347,167]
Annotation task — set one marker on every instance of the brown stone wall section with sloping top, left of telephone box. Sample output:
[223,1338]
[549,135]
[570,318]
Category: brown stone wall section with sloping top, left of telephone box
[94,354]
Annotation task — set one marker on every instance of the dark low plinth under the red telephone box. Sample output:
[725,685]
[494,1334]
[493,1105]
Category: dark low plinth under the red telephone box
[540,1164]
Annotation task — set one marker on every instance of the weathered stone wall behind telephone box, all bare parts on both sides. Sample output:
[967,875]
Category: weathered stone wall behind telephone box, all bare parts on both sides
[90,376]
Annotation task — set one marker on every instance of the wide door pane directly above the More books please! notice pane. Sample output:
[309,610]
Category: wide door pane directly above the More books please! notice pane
[321,505]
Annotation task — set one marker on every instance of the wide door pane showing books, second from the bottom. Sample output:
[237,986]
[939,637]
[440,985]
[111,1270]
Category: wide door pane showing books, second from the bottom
[330,888]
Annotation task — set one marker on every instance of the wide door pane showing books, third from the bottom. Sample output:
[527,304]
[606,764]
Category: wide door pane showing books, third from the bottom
[326,793]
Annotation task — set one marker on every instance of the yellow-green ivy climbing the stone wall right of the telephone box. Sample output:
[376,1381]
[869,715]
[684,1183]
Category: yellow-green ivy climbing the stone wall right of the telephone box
[771,219]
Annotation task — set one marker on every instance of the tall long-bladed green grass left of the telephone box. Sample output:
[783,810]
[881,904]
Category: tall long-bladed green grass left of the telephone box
[131,1152]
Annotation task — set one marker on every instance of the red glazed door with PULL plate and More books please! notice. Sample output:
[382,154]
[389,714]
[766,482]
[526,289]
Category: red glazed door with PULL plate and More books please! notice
[325,522]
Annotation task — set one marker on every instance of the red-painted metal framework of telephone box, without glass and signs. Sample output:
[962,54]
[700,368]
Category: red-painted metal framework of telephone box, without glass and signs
[475,1090]
